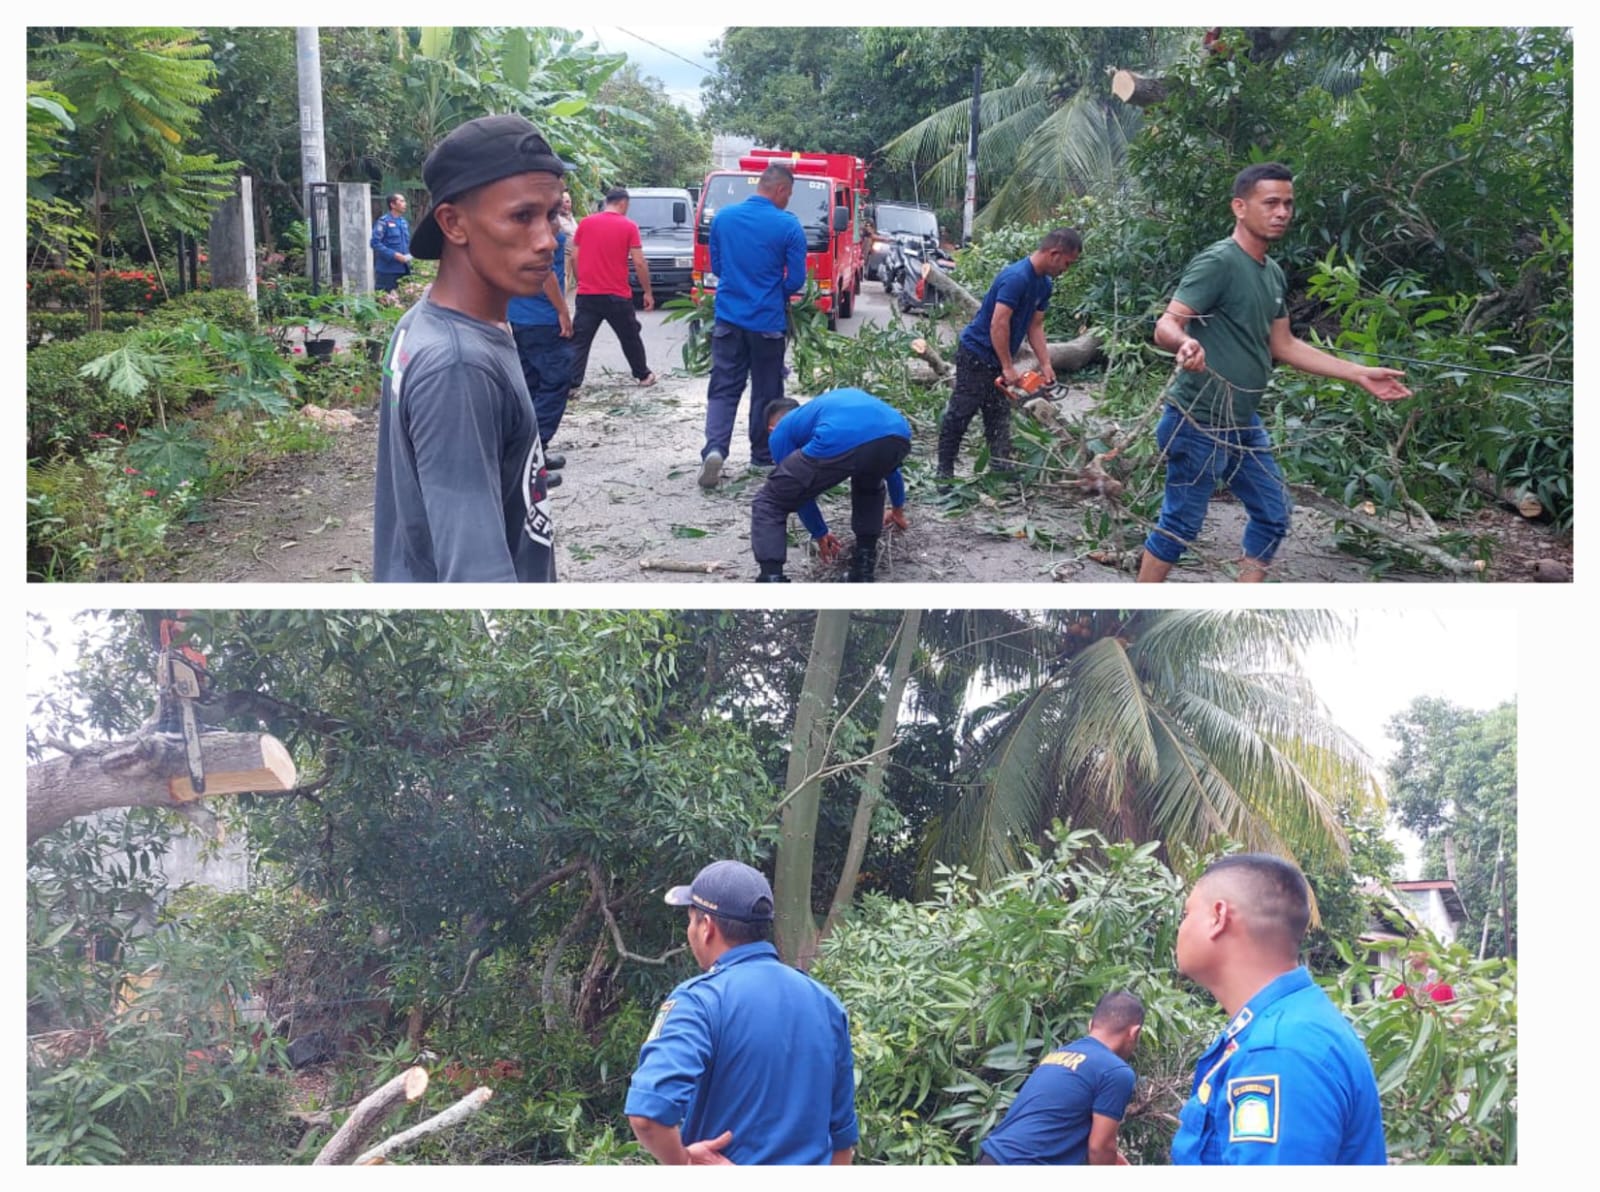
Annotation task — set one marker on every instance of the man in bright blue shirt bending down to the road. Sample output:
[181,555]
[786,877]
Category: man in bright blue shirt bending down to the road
[842,434]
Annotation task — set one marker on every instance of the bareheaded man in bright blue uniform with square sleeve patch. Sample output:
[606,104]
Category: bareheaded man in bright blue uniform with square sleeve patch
[1287,1081]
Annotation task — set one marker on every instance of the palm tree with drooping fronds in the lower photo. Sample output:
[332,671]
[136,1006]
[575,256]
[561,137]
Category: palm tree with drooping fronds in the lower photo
[1186,727]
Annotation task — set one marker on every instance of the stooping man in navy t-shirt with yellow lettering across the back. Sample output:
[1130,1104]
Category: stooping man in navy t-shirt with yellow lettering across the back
[1071,1106]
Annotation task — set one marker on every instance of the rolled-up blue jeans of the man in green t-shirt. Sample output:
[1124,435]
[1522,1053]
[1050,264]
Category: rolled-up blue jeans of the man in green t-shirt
[1199,458]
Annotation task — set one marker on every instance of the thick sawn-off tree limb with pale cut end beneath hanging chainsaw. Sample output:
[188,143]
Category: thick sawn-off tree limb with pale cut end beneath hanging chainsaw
[150,770]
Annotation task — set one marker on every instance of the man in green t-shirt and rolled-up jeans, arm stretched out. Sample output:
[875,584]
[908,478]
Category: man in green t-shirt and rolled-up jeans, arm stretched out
[1230,326]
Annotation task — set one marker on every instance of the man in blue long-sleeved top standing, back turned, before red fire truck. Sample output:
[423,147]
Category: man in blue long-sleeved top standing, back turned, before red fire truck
[758,254]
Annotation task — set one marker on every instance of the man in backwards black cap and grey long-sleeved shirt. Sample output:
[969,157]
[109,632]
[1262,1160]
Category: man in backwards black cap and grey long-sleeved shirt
[462,476]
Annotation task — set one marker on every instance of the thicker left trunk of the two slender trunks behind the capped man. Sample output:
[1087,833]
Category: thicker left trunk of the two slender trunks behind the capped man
[796,929]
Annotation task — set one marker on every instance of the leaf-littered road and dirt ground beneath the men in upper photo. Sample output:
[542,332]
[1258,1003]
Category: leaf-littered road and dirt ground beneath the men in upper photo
[630,498]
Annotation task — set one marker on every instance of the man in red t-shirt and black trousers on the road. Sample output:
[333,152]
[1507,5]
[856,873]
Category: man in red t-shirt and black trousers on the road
[602,247]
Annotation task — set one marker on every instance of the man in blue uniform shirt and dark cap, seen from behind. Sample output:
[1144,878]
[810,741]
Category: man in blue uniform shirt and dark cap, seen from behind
[748,1063]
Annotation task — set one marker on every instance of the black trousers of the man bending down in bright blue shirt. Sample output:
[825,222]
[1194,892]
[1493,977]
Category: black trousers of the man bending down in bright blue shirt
[801,479]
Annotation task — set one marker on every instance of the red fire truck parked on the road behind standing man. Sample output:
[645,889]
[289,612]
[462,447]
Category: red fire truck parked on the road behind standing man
[830,194]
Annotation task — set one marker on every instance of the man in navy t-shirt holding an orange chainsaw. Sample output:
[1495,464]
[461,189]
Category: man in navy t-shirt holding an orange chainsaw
[1012,311]
